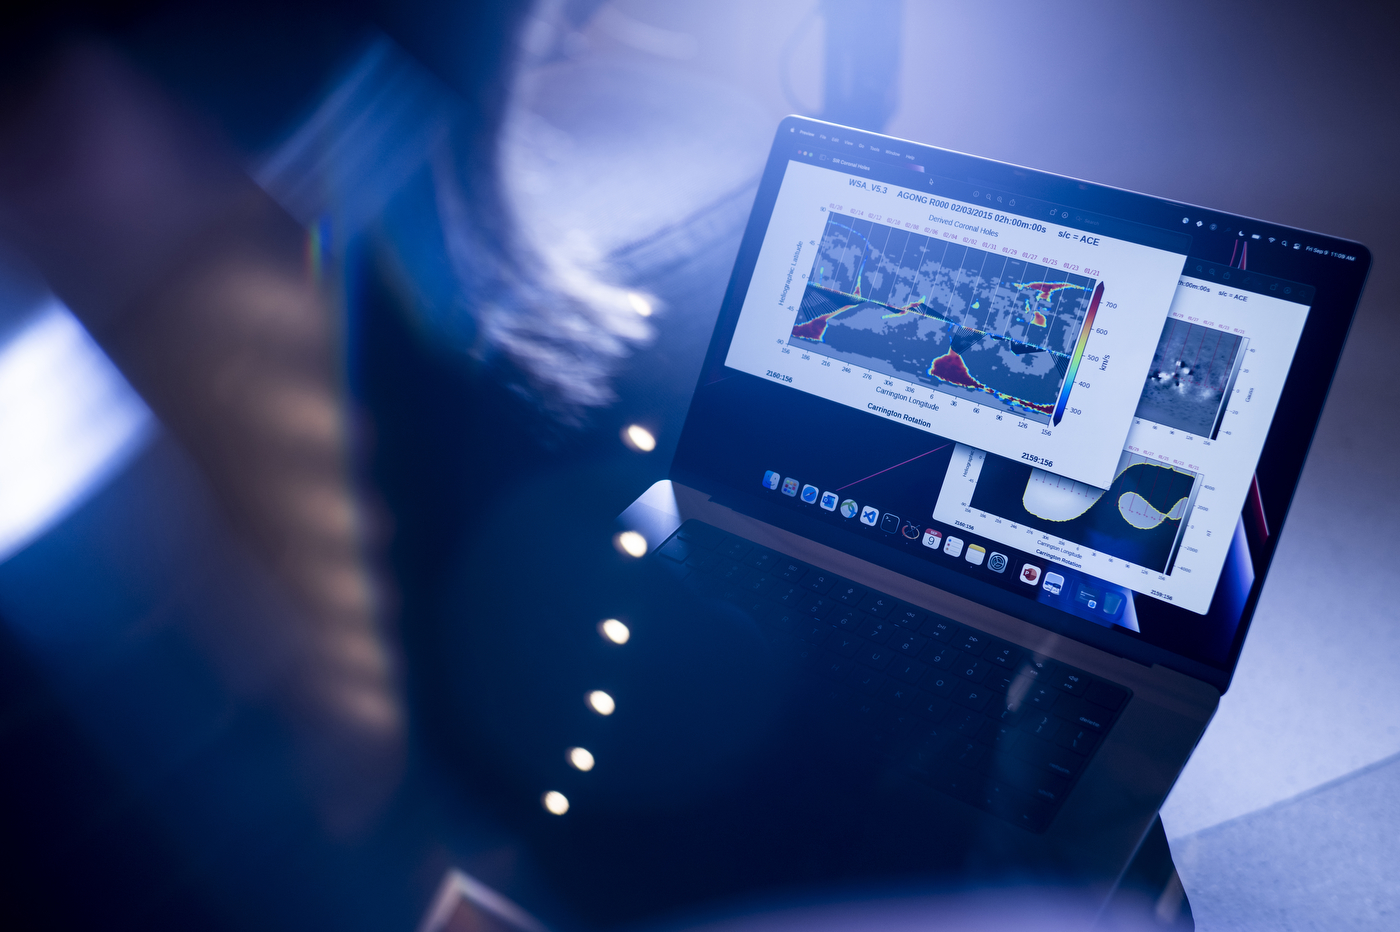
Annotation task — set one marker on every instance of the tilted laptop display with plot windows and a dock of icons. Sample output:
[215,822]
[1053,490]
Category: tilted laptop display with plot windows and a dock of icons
[1045,395]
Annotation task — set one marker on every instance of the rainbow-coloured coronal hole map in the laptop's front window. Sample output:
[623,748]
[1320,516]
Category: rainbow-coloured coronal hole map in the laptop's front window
[964,320]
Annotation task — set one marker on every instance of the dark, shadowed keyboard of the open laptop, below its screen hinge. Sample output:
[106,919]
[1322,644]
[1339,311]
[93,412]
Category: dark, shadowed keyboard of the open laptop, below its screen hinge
[972,716]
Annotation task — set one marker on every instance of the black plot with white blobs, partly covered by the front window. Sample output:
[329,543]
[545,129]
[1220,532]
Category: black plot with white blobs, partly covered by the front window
[1137,520]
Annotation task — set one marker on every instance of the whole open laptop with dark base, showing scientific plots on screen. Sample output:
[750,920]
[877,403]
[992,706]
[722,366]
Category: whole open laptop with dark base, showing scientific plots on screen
[983,476]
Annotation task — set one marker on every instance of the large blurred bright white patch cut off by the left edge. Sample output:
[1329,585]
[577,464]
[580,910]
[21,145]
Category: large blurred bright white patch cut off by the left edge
[68,423]
